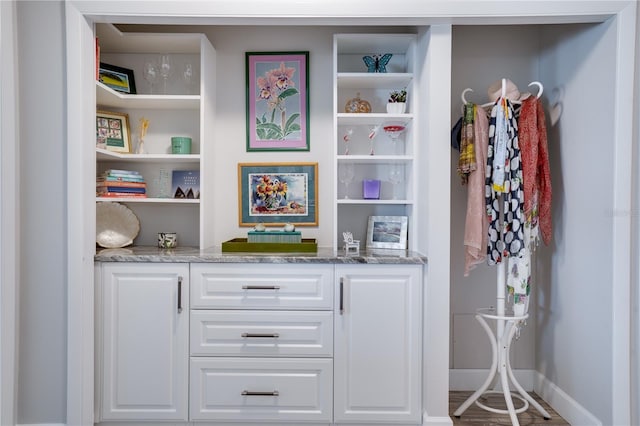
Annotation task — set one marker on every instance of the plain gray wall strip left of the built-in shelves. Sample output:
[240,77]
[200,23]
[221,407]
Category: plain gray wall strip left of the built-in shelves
[42,288]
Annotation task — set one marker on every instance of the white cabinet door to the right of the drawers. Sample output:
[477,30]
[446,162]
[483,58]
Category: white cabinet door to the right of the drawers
[377,351]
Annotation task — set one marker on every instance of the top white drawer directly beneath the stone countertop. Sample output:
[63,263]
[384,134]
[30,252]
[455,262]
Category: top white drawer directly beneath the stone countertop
[251,286]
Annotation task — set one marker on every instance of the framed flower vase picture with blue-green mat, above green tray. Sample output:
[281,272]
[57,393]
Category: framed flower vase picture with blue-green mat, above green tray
[278,193]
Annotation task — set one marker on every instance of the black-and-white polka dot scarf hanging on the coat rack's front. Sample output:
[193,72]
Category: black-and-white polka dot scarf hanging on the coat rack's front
[504,178]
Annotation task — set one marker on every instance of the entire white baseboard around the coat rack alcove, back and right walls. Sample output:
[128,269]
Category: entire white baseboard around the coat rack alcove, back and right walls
[530,380]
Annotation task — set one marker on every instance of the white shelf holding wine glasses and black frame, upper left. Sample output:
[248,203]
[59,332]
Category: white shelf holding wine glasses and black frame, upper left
[107,97]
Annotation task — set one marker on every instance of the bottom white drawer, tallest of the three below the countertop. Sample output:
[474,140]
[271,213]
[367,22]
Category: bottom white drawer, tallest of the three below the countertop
[269,389]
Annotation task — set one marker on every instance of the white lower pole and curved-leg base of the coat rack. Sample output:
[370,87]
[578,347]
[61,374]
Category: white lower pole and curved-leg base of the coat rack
[506,327]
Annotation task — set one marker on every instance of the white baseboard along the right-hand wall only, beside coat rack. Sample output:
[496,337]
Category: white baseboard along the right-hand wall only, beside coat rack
[564,405]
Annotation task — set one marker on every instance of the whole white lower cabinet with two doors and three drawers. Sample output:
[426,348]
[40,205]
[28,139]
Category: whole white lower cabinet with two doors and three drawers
[271,344]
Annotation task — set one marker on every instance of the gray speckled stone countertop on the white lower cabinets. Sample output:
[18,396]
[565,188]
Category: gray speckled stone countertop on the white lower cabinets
[195,255]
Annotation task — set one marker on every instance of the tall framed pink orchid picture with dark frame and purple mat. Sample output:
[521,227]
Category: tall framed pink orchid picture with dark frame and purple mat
[277,101]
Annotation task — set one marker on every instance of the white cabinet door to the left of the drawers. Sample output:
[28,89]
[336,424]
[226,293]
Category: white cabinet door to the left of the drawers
[144,341]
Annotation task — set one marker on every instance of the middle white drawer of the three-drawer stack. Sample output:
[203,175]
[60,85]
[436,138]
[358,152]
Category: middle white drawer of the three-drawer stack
[262,333]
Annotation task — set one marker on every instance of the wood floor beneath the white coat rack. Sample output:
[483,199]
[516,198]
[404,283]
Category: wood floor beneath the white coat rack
[476,416]
